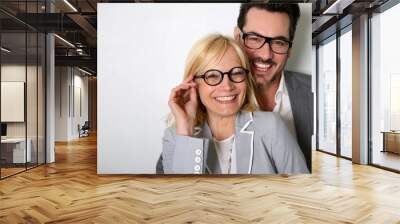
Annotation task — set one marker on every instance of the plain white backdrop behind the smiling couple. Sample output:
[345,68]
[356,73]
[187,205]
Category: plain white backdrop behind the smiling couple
[142,50]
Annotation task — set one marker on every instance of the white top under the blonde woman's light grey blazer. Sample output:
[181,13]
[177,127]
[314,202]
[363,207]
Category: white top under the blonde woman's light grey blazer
[226,153]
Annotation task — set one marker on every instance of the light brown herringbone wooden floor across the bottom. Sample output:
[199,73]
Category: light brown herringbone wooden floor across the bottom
[70,191]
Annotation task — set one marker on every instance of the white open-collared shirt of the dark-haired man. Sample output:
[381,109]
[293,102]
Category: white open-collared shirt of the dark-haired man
[283,106]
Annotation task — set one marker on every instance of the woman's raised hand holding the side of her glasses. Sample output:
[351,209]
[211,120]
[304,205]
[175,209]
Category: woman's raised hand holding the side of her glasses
[183,104]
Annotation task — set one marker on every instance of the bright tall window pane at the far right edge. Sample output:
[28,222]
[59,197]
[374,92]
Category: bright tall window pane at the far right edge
[385,89]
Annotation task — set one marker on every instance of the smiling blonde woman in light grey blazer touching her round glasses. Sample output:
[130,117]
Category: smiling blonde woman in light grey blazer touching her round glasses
[213,127]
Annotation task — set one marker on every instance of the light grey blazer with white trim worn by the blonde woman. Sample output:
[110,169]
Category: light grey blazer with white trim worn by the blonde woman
[263,146]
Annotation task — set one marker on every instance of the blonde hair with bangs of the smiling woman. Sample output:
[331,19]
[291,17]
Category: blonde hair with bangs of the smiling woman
[207,50]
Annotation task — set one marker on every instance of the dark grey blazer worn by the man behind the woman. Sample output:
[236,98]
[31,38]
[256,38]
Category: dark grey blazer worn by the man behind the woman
[302,103]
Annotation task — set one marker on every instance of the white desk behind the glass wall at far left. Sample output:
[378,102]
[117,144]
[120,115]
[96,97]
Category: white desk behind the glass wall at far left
[16,148]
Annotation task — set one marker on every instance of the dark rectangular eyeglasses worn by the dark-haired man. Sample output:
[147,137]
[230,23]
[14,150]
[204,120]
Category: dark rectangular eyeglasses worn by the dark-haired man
[256,41]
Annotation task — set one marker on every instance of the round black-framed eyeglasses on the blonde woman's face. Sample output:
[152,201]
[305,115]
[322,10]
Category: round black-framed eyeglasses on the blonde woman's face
[214,77]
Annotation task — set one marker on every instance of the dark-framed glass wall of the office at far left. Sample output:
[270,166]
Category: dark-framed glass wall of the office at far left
[22,77]
